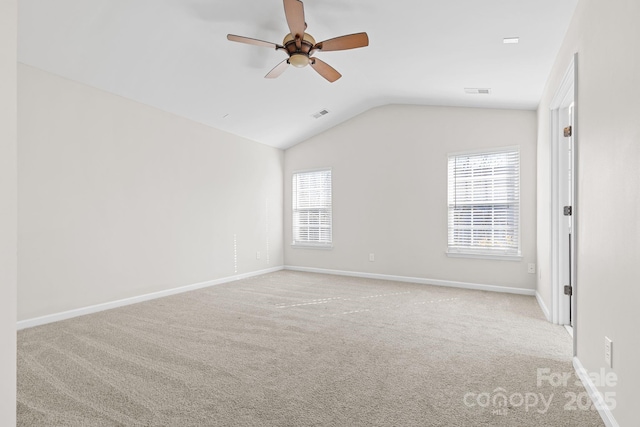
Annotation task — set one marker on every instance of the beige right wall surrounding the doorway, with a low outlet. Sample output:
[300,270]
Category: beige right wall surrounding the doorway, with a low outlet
[606,36]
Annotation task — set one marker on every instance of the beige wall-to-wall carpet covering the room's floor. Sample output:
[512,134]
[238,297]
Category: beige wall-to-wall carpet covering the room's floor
[300,349]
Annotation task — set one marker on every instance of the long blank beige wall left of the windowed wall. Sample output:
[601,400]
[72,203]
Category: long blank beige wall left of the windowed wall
[118,199]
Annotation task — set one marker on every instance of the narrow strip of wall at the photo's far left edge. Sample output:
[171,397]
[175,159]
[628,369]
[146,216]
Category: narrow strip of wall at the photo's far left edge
[8,211]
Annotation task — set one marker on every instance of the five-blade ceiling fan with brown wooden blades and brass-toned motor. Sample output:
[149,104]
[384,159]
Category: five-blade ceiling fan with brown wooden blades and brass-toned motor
[301,46]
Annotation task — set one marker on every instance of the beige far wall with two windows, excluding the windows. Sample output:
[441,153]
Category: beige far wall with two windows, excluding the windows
[390,191]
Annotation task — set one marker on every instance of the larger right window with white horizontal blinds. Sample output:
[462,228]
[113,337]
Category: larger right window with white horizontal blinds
[484,203]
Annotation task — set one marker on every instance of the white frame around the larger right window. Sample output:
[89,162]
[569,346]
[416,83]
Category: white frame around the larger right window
[478,251]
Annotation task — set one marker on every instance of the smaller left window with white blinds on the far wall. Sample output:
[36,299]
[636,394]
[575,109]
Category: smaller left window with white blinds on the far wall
[312,208]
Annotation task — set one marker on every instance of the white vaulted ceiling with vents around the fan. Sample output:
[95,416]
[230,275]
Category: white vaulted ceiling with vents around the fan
[174,55]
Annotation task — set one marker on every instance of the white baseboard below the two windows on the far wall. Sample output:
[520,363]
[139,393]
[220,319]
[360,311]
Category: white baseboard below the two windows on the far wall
[420,280]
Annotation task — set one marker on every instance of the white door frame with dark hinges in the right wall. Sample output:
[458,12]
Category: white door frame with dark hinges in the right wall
[566,94]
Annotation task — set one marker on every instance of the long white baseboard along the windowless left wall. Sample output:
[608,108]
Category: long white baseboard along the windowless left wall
[50,318]
